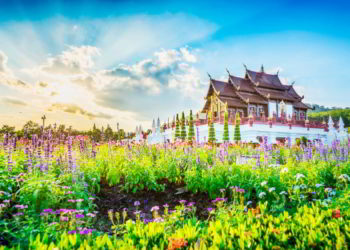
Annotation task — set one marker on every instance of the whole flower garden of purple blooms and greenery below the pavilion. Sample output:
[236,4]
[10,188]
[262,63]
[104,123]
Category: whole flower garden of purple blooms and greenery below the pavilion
[61,192]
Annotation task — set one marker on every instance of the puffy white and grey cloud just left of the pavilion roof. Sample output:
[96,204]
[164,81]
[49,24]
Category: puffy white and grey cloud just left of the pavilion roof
[166,69]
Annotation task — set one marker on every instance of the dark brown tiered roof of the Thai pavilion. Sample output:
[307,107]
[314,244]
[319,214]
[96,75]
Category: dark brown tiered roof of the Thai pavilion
[254,88]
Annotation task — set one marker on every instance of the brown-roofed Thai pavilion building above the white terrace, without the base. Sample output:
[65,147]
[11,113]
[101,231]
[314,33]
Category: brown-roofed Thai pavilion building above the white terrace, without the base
[257,94]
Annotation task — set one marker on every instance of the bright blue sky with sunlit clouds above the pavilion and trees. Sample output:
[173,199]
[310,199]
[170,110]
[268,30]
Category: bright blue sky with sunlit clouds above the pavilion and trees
[103,62]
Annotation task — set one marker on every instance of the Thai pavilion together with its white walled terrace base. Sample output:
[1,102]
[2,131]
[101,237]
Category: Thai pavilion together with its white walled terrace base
[266,107]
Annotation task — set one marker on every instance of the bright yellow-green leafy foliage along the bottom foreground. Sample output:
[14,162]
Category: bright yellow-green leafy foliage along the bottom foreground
[228,227]
